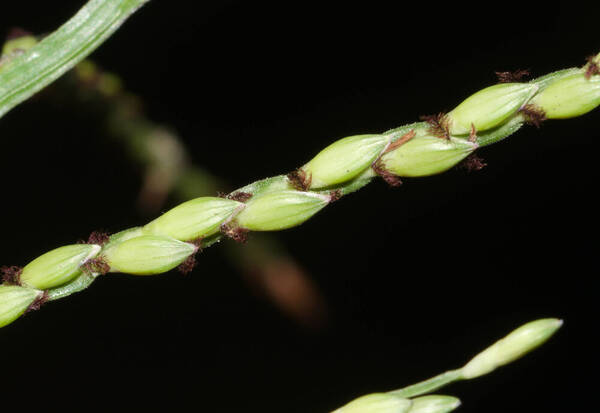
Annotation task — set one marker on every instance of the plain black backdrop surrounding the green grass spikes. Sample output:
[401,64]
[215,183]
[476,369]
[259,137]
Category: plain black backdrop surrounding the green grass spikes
[417,278]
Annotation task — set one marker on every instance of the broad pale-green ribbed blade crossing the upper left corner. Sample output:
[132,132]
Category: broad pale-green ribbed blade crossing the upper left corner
[28,73]
